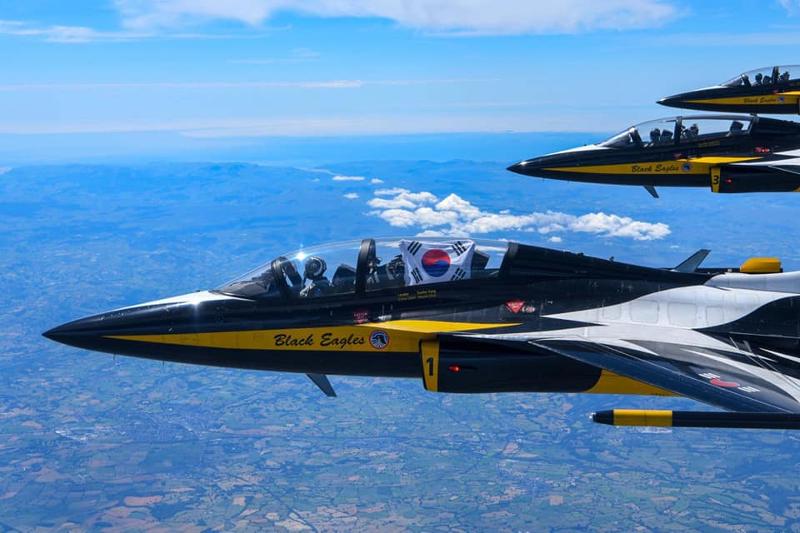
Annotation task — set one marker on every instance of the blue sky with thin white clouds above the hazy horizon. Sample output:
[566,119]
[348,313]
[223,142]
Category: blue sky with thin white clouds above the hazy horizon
[212,71]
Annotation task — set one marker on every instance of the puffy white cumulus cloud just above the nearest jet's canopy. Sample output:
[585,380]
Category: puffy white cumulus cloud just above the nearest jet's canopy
[454,215]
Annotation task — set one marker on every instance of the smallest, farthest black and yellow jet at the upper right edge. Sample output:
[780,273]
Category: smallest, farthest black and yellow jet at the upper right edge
[764,90]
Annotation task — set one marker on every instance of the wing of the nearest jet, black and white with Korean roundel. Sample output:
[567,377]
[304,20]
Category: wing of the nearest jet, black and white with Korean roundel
[736,381]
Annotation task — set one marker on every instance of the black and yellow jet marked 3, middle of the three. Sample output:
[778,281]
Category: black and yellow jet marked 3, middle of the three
[727,153]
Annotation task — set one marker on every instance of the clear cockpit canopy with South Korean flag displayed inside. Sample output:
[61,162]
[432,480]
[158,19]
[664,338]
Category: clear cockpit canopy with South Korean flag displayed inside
[356,267]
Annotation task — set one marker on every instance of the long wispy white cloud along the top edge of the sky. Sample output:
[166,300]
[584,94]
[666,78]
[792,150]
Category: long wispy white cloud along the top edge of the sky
[451,17]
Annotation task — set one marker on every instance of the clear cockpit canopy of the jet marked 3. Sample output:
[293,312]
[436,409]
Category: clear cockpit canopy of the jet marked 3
[677,130]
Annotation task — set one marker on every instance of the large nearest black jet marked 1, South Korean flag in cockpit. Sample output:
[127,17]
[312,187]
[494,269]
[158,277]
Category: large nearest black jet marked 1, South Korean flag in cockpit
[473,316]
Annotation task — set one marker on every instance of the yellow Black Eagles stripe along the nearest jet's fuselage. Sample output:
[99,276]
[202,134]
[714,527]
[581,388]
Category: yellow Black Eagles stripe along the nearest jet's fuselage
[402,336]
